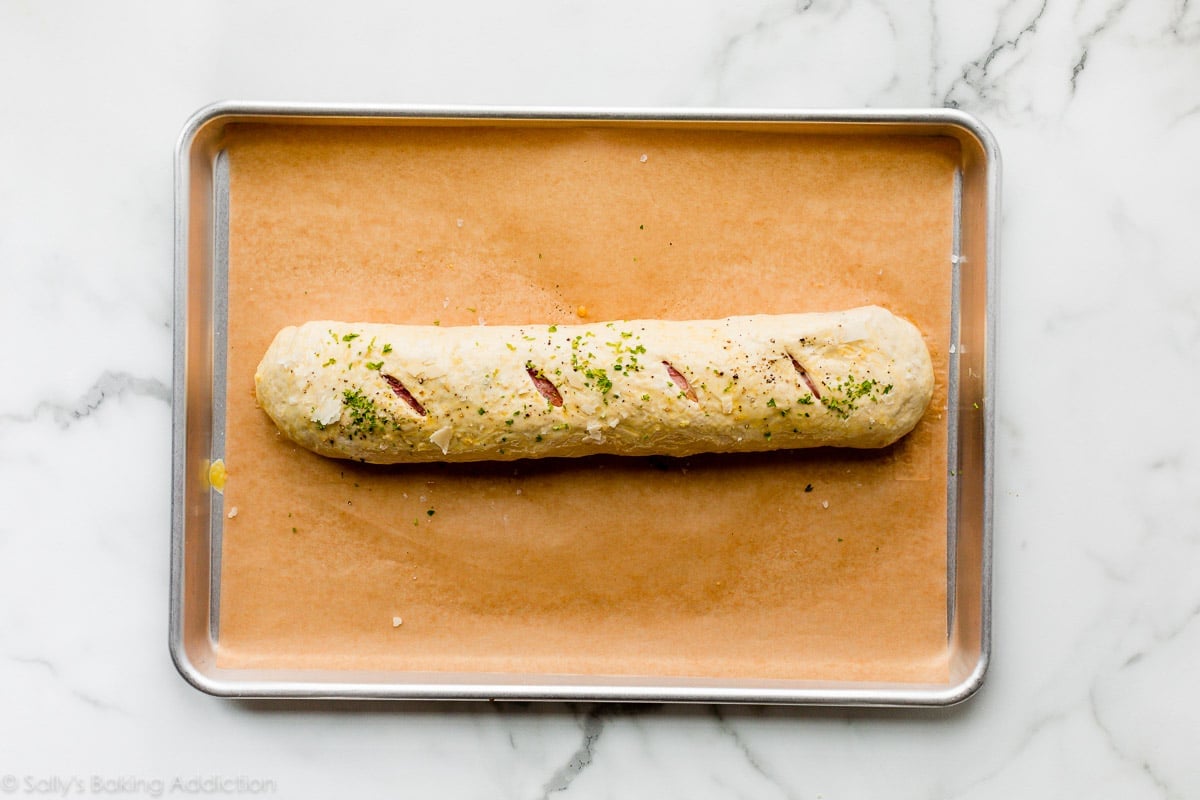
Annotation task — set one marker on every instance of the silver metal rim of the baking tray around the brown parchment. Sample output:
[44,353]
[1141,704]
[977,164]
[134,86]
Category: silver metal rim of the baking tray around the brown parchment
[193,637]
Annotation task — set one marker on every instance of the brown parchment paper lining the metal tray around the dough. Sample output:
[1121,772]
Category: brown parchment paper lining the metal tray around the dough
[718,567]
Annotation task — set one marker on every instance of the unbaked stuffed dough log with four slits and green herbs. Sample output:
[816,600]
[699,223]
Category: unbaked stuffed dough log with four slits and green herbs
[395,394]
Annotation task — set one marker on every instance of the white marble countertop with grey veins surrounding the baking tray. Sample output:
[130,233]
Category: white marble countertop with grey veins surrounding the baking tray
[1097,543]
